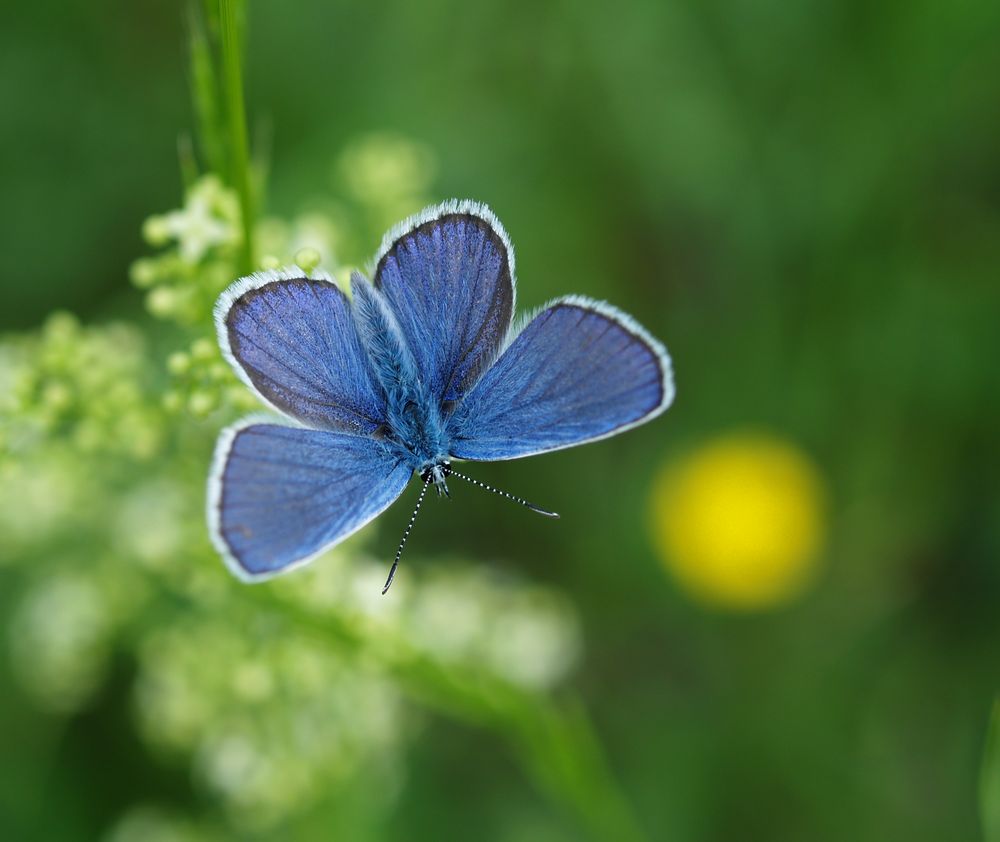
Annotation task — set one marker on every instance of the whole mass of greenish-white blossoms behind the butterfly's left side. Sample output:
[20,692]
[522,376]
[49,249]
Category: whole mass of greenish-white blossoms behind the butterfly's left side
[275,695]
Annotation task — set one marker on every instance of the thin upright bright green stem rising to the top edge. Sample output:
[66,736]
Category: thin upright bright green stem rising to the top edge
[232,80]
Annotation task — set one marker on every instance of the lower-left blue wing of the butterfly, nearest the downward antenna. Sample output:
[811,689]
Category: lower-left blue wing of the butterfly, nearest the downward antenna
[279,495]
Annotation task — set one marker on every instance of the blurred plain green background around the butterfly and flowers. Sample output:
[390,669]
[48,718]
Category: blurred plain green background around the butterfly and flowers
[802,200]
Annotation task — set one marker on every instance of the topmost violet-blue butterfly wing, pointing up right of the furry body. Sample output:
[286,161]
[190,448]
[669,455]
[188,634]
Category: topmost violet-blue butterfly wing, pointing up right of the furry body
[448,276]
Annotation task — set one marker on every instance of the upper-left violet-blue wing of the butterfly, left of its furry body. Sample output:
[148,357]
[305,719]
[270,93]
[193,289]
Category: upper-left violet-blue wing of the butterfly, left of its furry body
[293,341]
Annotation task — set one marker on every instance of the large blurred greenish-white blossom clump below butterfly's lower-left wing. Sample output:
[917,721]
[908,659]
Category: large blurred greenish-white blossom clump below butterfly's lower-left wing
[272,717]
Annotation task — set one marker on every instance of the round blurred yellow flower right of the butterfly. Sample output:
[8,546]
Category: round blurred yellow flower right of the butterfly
[740,521]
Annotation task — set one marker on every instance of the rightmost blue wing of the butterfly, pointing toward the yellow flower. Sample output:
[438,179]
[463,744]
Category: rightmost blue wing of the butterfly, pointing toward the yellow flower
[579,371]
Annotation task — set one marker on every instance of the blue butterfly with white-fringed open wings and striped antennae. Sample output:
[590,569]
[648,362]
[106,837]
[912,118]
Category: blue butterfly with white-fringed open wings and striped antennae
[419,367]
